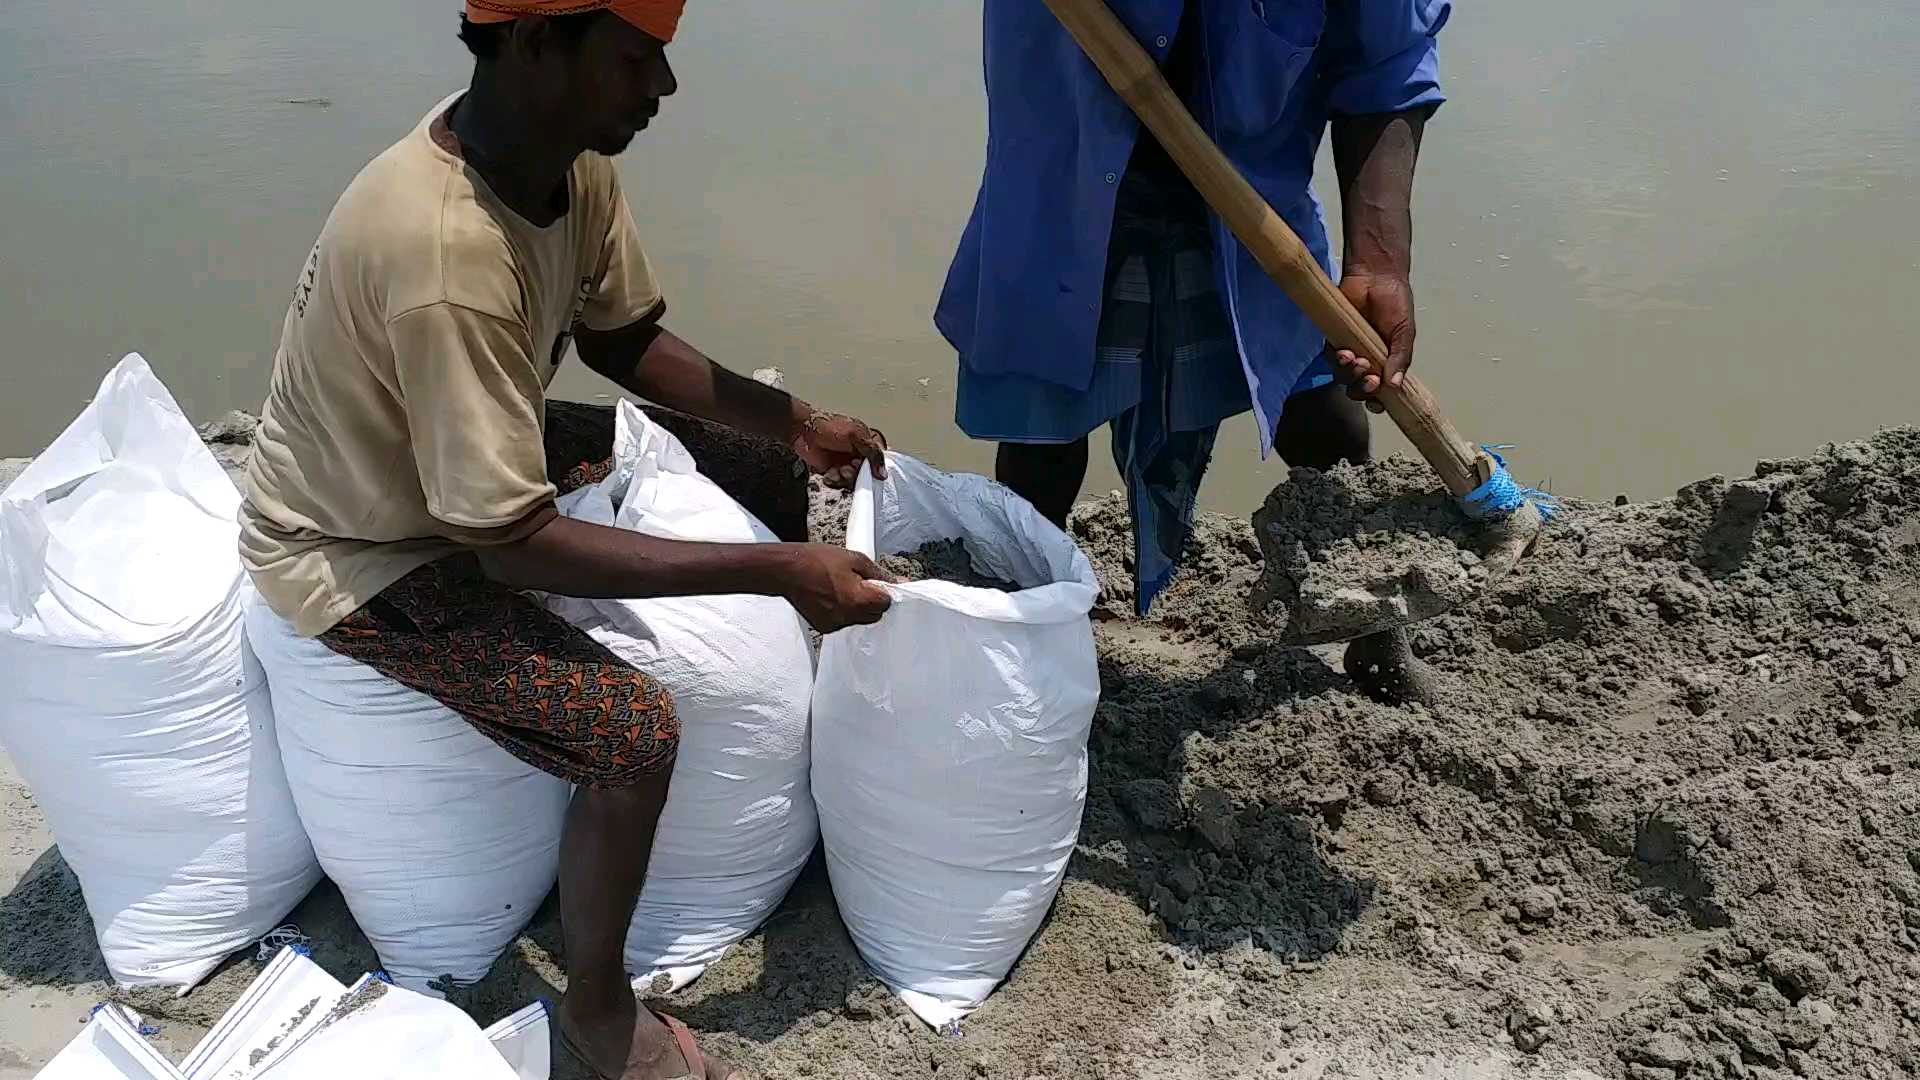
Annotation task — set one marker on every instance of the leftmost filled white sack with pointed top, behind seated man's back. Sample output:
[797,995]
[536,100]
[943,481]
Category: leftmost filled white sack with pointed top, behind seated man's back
[133,706]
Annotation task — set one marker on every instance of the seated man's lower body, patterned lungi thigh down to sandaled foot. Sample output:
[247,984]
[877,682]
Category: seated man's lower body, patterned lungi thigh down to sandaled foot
[421,631]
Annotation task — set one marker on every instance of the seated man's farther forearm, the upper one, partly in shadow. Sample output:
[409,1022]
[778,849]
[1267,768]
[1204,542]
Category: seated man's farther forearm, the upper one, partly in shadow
[661,368]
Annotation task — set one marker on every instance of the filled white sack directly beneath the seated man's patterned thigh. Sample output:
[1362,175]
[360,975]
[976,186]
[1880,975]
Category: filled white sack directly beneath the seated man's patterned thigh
[441,843]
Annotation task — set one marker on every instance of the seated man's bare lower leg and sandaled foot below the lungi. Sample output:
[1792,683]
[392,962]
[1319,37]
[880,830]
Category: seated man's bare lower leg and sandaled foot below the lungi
[604,866]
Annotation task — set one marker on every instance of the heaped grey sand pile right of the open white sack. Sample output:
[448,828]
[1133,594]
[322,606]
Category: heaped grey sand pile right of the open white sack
[1662,822]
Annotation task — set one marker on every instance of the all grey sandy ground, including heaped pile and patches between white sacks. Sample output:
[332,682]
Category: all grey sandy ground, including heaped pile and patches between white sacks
[1662,823]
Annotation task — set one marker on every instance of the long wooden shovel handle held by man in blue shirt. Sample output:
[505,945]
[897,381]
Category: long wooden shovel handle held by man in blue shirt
[1266,235]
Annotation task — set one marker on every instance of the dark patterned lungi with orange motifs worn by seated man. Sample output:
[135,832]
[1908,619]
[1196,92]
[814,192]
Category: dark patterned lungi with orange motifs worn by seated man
[521,675]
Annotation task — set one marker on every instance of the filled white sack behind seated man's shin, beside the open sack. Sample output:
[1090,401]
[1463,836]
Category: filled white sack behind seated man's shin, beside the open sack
[740,818]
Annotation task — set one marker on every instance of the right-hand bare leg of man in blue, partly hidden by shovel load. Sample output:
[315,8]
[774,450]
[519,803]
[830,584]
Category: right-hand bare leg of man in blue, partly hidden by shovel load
[1320,430]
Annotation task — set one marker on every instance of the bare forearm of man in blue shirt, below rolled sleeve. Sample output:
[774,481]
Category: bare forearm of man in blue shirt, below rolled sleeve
[1376,159]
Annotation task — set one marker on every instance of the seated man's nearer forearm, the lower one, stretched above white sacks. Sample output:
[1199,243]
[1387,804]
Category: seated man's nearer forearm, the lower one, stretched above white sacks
[577,558]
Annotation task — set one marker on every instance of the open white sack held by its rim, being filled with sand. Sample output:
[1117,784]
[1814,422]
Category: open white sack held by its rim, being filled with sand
[951,739]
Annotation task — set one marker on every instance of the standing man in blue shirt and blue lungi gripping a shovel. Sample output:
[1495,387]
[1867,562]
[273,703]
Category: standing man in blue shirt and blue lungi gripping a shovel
[1093,287]
